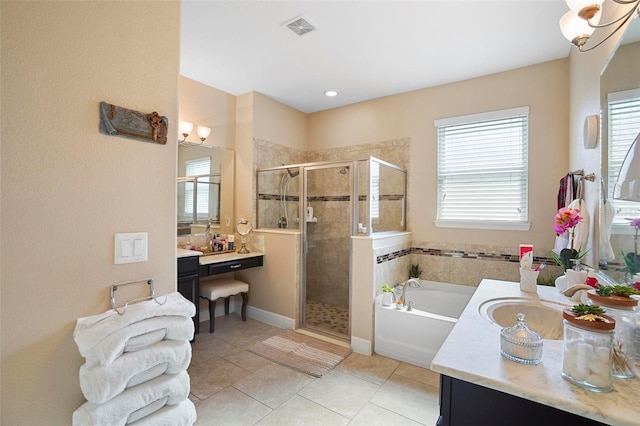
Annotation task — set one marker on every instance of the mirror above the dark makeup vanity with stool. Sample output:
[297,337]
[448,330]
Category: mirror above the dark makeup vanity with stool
[205,190]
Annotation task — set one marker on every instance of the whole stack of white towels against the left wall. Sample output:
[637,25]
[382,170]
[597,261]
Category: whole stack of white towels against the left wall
[135,367]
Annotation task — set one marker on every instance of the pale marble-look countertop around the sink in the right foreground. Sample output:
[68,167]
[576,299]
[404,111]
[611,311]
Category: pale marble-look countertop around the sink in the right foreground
[471,353]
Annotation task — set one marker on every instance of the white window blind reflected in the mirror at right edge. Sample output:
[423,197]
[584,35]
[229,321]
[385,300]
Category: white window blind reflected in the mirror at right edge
[624,126]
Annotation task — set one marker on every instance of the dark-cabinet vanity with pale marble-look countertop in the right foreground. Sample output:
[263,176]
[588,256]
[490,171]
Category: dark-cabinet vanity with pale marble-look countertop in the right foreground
[479,386]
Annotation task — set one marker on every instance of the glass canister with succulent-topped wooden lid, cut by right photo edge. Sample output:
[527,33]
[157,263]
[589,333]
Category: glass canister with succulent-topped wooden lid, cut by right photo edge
[624,311]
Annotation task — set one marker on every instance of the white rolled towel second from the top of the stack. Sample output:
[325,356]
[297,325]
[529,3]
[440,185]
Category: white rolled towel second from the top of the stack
[138,336]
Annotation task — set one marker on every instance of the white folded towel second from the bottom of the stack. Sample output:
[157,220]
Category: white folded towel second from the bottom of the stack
[135,403]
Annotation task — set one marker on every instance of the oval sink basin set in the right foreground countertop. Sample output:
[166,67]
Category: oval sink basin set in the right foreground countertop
[542,316]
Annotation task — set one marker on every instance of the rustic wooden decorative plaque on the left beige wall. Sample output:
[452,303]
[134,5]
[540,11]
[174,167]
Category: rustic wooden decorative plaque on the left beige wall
[126,123]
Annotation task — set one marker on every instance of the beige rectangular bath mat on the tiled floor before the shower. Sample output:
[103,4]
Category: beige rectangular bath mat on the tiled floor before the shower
[303,353]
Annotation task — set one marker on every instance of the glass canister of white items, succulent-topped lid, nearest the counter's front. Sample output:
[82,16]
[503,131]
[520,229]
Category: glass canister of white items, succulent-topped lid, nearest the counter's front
[587,351]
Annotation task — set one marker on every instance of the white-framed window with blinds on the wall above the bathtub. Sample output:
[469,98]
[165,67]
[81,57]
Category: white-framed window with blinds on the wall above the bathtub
[482,170]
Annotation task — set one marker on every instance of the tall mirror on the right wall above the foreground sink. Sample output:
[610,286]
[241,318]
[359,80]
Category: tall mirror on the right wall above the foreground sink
[619,85]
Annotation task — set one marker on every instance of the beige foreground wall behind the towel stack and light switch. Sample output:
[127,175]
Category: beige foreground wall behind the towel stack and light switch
[67,189]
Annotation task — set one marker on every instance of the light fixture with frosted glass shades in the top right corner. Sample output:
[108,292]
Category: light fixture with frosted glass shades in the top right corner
[580,22]
